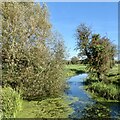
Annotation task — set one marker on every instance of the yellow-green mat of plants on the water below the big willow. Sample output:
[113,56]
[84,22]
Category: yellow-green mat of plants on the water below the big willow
[48,108]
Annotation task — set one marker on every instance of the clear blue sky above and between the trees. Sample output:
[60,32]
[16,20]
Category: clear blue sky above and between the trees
[101,16]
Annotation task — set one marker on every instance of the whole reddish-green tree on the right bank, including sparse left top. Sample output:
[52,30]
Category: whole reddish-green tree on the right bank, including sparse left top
[99,50]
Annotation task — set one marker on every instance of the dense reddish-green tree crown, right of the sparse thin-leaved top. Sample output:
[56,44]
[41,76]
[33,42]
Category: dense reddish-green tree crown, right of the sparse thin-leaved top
[101,50]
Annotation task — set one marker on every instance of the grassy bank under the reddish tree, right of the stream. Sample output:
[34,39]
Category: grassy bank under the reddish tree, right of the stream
[108,89]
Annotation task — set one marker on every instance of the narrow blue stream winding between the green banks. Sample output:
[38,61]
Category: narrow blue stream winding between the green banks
[85,107]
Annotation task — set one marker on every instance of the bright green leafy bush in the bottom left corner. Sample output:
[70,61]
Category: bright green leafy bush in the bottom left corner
[11,102]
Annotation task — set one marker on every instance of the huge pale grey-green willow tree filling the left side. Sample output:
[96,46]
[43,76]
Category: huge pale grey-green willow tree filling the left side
[26,55]
